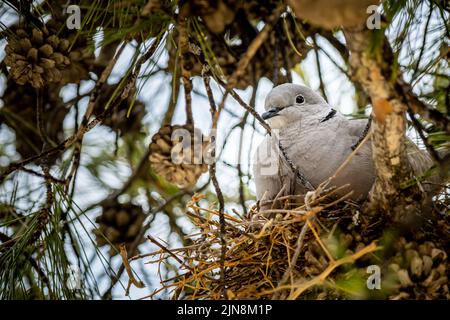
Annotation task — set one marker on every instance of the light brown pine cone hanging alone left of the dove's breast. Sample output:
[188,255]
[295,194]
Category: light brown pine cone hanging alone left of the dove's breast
[179,161]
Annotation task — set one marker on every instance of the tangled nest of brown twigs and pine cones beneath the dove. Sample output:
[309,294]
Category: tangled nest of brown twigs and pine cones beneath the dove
[314,247]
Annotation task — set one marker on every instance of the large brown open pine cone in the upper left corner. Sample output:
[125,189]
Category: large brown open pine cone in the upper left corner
[42,56]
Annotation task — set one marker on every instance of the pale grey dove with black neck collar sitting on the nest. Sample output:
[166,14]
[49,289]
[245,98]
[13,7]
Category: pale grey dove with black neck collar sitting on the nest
[310,140]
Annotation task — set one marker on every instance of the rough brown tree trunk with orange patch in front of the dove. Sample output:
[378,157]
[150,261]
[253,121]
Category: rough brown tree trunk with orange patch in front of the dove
[374,71]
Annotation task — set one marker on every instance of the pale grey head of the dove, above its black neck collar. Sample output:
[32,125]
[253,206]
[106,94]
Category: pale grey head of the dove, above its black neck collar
[289,103]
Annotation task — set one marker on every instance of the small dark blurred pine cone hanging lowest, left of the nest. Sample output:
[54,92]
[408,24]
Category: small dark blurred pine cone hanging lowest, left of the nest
[119,224]
